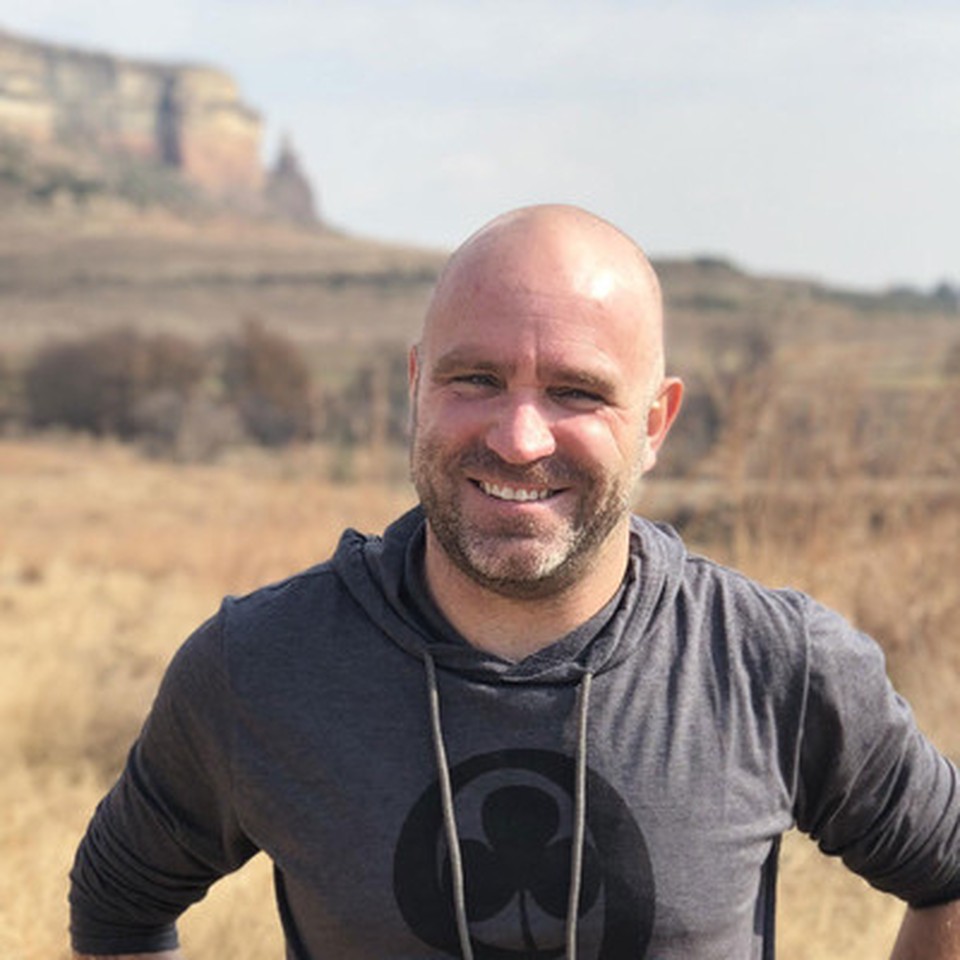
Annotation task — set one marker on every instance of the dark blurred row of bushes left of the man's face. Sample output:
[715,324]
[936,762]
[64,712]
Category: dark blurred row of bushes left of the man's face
[190,400]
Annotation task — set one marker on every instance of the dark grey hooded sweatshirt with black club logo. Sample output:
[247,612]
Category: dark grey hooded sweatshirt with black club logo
[620,793]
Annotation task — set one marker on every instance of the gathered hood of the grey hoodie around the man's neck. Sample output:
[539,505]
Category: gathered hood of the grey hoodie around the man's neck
[384,575]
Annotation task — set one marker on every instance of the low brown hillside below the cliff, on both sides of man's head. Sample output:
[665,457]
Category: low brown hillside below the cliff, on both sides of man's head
[68,268]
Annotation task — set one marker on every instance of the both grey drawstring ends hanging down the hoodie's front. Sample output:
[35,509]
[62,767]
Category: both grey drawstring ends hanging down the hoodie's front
[450,821]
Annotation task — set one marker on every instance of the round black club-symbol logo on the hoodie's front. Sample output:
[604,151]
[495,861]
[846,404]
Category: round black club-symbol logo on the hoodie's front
[515,815]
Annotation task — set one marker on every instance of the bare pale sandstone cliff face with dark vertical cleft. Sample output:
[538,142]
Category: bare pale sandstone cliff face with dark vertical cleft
[184,118]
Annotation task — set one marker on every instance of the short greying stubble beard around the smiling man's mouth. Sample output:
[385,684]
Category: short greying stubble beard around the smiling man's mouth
[531,557]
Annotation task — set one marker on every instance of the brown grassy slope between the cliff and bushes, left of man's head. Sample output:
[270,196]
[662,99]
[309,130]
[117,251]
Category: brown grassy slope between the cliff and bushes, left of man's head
[67,272]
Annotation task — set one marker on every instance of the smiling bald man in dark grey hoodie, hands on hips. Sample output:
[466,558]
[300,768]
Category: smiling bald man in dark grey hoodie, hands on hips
[524,723]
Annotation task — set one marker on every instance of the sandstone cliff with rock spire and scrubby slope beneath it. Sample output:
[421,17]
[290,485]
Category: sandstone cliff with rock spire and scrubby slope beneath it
[80,126]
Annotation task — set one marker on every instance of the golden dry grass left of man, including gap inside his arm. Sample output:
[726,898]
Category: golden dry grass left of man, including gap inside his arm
[106,563]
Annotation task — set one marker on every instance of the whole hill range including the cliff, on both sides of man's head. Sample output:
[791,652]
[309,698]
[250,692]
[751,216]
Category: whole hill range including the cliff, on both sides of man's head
[132,193]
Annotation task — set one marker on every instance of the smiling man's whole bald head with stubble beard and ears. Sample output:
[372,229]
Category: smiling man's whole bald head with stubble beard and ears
[539,399]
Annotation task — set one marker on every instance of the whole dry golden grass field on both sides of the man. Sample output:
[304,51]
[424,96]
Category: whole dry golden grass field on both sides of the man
[108,560]
